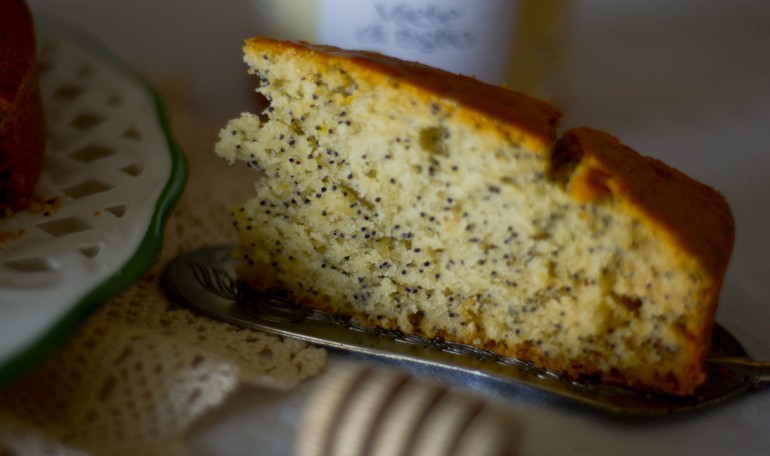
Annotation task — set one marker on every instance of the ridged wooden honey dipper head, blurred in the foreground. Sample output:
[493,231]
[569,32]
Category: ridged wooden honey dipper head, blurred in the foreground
[364,410]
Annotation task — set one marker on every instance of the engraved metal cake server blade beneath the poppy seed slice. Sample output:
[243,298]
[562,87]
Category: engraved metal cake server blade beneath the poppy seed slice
[205,281]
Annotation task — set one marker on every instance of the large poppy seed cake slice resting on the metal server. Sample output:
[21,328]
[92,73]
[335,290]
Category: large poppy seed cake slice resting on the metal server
[431,203]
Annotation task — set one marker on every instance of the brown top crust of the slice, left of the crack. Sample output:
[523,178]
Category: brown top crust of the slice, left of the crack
[508,109]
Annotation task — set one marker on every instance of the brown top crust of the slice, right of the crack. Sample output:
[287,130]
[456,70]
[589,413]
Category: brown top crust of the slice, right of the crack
[695,215]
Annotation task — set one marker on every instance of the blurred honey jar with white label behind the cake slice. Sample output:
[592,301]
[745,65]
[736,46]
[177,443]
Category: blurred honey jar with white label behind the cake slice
[517,43]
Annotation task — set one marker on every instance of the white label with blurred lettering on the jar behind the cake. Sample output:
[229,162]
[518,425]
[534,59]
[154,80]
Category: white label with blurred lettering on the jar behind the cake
[463,36]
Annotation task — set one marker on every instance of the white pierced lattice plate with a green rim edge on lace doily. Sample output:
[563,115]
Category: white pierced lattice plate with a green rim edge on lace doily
[115,174]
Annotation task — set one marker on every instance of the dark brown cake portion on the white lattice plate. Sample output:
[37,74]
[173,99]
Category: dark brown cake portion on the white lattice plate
[22,131]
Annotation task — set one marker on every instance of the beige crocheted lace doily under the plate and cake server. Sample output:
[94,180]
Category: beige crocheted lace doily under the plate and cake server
[141,369]
